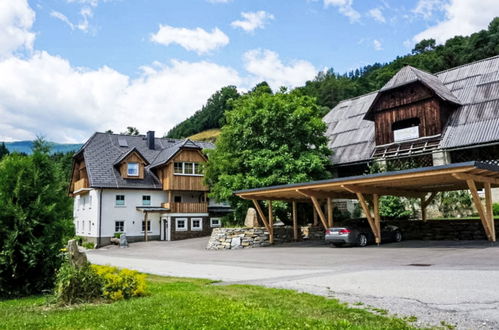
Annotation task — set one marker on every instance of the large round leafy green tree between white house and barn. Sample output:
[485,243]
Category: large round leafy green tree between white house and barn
[269,139]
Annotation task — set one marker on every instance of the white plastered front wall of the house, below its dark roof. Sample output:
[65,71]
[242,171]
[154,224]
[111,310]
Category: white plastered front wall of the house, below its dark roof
[128,213]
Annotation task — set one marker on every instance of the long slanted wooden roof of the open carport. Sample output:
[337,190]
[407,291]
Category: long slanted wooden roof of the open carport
[408,183]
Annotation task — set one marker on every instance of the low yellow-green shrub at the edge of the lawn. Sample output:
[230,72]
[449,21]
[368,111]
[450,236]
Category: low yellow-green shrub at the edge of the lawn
[120,284]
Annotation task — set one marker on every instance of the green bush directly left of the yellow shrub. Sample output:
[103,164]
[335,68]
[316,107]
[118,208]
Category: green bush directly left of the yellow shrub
[77,284]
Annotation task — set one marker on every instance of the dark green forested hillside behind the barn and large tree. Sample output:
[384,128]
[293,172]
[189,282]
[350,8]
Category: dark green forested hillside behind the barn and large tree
[331,87]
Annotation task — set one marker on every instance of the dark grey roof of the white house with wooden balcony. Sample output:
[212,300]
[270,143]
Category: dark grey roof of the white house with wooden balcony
[102,151]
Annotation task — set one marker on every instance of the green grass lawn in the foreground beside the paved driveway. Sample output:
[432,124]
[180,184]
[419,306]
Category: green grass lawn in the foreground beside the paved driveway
[177,303]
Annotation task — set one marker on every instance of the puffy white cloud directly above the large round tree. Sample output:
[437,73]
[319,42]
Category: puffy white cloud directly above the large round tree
[266,65]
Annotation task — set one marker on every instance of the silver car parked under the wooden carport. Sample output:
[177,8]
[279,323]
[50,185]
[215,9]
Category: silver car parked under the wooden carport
[359,233]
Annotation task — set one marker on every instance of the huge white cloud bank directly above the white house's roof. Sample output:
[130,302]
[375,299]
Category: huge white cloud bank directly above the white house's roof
[46,95]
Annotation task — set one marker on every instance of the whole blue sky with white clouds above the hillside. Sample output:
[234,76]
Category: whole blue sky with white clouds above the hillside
[72,67]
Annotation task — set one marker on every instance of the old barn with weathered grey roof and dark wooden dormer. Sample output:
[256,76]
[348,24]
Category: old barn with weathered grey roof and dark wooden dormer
[419,119]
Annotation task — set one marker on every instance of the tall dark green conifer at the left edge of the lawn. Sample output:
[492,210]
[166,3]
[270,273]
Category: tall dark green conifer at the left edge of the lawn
[35,218]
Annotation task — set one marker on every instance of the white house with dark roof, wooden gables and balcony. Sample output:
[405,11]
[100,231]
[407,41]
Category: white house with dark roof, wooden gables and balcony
[123,184]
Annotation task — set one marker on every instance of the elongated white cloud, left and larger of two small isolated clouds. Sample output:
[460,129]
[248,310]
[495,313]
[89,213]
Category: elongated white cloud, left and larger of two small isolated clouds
[198,40]
